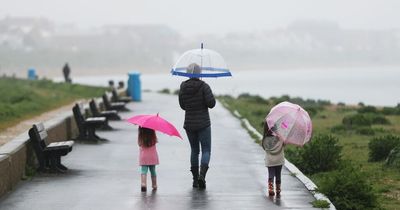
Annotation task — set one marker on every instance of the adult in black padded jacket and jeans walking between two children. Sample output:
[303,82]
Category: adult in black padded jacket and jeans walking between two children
[196,97]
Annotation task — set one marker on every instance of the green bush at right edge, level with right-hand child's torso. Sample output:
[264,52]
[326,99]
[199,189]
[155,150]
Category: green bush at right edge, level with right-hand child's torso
[380,147]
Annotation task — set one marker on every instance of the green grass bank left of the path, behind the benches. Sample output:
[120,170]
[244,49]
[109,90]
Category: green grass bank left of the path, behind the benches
[21,99]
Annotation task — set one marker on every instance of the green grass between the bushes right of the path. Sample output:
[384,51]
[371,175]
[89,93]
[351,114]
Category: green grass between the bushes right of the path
[385,181]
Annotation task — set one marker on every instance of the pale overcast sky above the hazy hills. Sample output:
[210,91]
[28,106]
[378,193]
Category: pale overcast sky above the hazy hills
[210,16]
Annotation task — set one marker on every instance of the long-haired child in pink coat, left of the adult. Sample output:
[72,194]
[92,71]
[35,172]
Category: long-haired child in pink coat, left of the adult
[148,157]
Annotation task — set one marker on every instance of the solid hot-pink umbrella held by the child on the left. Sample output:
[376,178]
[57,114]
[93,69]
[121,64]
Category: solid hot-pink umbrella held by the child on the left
[155,122]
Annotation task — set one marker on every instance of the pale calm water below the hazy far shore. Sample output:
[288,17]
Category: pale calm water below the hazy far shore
[372,86]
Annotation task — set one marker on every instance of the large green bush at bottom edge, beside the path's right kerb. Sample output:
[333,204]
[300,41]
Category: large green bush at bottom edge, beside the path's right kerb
[348,188]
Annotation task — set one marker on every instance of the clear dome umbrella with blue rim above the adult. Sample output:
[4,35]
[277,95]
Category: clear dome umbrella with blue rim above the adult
[211,64]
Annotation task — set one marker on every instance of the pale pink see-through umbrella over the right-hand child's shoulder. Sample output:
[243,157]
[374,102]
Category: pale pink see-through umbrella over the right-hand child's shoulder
[290,123]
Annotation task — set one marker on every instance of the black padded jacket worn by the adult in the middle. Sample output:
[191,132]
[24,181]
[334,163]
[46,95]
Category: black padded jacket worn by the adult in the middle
[195,97]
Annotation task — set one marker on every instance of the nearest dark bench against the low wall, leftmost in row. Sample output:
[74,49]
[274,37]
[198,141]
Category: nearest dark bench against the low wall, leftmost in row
[48,155]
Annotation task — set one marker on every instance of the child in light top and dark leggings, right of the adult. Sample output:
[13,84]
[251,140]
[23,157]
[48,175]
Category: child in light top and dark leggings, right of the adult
[274,159]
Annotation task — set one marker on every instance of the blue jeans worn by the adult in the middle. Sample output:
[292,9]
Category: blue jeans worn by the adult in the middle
[196,139]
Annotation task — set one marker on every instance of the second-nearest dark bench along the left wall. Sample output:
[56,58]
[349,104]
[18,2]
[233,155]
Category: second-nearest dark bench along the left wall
[87,127]
